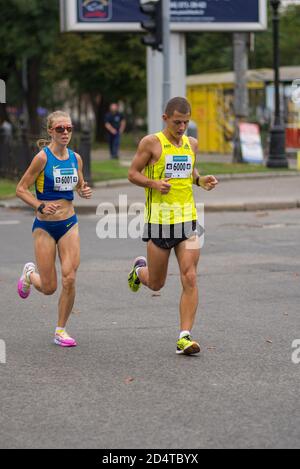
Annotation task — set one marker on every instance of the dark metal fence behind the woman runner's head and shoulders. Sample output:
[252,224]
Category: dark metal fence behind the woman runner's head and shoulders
[16,152]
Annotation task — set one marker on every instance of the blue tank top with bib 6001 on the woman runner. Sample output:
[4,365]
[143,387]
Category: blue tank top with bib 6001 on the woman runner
[59,178]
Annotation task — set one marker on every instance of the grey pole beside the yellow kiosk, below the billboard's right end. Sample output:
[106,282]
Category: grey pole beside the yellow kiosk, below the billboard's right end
[241,99]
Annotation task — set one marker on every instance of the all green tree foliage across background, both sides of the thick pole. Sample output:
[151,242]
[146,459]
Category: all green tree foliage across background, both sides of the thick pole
[111,66]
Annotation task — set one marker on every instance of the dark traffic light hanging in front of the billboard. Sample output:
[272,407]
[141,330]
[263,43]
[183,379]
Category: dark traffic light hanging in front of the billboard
[153,24]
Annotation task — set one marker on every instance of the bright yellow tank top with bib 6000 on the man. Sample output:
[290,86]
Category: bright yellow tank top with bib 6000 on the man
[178,205]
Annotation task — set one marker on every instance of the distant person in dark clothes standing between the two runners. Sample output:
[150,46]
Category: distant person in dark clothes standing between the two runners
[115,125]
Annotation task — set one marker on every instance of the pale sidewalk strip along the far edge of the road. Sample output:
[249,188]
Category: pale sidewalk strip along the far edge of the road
[243,193]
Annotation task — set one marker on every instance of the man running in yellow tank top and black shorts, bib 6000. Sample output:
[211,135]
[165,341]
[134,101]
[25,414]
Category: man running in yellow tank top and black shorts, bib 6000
[165,166]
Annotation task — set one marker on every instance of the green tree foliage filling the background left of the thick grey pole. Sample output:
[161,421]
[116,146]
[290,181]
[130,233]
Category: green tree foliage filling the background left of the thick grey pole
[109,65]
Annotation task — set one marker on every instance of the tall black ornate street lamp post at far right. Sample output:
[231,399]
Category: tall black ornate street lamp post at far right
[277,156]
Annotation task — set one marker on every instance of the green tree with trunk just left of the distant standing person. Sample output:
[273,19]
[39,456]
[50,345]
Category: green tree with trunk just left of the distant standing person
[106,67]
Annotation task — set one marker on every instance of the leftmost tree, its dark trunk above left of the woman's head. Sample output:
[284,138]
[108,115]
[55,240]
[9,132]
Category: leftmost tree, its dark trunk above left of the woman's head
[28,31]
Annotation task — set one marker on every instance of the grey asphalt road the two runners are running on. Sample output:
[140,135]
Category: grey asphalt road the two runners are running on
[124,386]
